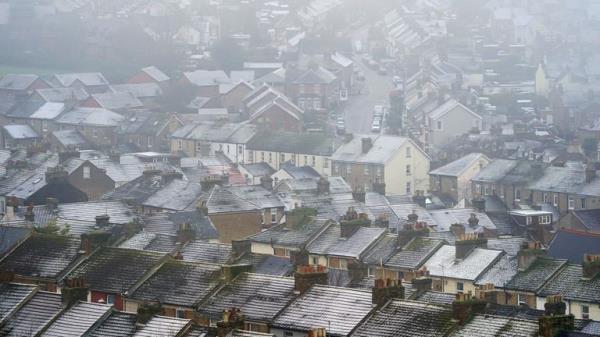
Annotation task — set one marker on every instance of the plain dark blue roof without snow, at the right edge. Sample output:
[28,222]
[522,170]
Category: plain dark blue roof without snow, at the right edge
[572,244]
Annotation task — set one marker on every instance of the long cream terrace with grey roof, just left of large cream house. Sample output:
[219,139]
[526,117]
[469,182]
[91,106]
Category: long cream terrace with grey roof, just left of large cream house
[300,149]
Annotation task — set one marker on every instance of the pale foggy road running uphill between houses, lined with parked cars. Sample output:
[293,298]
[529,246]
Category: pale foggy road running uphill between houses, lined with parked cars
[358,110]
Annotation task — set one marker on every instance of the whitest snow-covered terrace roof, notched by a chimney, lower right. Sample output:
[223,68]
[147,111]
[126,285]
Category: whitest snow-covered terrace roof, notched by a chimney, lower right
[444,263]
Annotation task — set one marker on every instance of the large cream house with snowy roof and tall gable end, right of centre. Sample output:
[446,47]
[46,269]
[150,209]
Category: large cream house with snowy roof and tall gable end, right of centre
[371,163]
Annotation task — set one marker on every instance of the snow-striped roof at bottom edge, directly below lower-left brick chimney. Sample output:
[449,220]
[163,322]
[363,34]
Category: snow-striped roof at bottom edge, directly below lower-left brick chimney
[78,320]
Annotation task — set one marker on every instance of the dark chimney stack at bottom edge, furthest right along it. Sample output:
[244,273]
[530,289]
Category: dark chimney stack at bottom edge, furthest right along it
[554,320]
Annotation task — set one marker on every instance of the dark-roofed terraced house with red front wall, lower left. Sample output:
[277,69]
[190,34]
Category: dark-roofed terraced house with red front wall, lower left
[99,268]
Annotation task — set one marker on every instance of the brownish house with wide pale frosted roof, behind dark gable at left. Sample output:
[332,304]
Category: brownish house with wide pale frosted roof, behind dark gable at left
[97,125]
